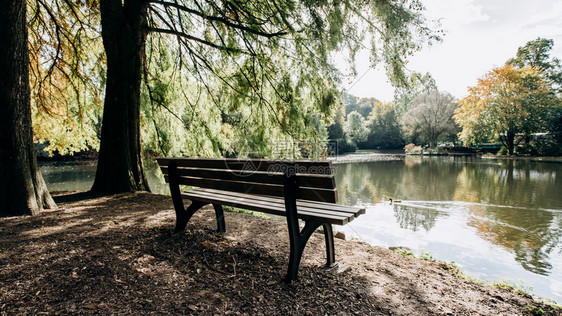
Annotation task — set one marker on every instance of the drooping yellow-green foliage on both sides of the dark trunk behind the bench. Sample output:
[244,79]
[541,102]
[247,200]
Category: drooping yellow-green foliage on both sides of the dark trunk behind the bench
[219,78]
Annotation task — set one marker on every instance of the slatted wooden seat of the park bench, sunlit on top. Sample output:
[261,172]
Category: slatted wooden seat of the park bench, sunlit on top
[247,201]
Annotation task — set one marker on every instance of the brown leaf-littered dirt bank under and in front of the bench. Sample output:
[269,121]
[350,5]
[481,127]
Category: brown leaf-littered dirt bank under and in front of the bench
[119,255]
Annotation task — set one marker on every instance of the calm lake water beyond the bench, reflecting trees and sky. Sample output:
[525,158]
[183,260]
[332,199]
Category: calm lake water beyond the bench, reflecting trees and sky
[497,219]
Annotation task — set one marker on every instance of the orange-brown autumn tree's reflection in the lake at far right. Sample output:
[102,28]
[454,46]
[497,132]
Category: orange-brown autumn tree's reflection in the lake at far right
[518,195]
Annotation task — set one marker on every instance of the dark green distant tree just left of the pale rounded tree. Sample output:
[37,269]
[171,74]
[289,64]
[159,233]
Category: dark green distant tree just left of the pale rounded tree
[384,128]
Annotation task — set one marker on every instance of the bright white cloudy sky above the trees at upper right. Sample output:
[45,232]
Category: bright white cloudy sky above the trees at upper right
[479,35]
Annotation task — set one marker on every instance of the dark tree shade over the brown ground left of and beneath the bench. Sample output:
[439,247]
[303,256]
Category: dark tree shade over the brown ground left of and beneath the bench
[110,255]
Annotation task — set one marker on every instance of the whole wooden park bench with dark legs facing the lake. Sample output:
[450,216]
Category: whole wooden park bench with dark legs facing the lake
[296,189]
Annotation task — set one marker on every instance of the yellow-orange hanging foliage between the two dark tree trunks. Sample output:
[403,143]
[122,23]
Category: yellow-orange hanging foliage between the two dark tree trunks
[66,75]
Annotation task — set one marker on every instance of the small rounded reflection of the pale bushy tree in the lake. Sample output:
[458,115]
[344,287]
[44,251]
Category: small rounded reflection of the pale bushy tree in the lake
[414,218]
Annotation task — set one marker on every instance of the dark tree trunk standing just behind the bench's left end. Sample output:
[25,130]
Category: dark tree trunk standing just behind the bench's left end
[120,166]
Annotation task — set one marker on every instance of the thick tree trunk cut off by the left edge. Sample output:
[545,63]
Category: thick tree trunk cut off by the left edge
[22,188]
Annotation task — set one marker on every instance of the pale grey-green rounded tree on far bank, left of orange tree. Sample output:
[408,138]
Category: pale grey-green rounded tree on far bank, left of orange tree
[431,115]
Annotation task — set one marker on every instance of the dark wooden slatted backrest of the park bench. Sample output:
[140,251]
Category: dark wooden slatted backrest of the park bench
[256,176]
